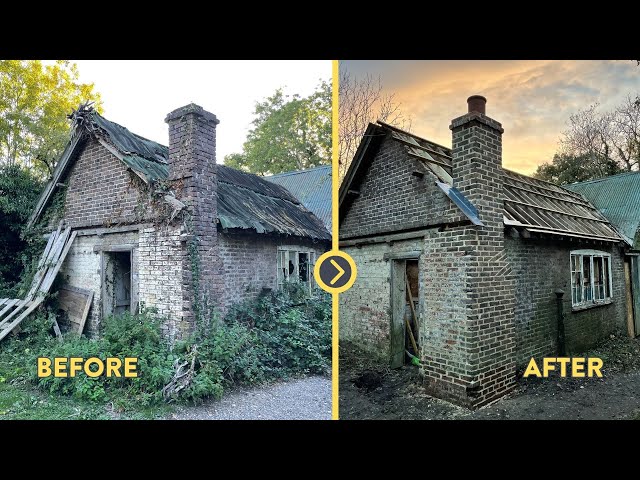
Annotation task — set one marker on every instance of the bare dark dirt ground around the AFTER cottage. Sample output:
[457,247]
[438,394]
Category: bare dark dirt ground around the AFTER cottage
[372,391]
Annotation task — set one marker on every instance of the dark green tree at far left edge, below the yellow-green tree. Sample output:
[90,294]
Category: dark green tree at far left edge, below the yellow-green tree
[19,190]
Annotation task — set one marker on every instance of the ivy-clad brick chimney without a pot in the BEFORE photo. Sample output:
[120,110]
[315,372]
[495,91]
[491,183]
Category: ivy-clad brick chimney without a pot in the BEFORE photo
[193,171]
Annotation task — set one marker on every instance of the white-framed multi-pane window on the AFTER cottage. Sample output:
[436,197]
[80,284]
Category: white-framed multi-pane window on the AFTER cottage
[590,277]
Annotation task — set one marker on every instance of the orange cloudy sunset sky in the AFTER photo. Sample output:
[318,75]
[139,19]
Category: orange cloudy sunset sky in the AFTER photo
[532,99]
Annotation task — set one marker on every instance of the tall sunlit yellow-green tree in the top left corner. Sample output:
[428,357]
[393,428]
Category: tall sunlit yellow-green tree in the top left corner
[34,102]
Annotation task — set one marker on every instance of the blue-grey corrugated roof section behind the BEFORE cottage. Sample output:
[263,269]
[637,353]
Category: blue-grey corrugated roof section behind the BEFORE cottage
[312,187]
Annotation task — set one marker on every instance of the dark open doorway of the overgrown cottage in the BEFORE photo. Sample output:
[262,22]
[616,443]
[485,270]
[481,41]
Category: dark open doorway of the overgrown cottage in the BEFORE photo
[116,288]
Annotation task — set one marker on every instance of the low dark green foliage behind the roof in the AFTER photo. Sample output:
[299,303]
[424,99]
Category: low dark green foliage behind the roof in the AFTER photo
[566,168]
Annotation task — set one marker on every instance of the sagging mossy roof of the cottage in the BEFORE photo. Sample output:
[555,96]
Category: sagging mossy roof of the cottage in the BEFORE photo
[245,201]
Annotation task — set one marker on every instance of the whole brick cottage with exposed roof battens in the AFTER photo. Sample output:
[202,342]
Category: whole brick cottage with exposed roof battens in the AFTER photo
[487,258]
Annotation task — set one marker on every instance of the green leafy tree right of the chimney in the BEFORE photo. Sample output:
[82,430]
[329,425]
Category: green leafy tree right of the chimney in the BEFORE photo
[288,133]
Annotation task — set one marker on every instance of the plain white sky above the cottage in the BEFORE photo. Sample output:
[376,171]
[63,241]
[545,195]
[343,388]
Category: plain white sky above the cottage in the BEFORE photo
[139,94]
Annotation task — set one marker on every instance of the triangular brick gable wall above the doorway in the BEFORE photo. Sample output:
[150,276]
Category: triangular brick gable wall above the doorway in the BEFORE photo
[101,191]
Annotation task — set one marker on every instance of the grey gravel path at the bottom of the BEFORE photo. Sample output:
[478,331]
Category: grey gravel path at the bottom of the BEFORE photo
[302,399]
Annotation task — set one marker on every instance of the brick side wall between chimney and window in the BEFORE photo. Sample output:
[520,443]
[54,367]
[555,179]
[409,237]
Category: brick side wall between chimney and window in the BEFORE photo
[250,263]
